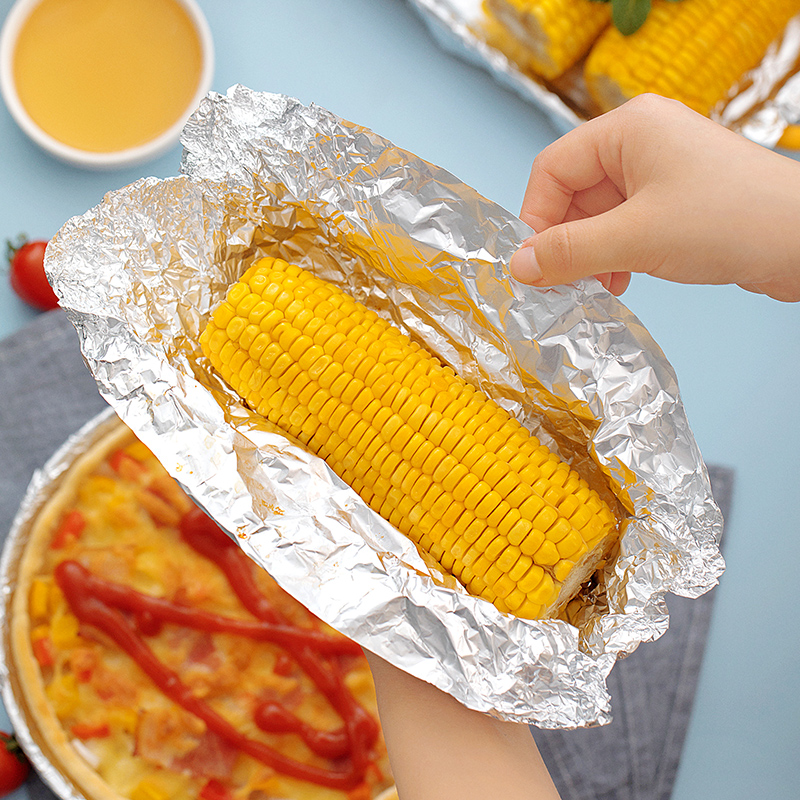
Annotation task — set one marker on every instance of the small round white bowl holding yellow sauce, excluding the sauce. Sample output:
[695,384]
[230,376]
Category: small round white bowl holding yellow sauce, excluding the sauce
[83,158]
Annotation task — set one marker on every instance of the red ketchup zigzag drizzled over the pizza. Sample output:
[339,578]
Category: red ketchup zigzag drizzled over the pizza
[101,603]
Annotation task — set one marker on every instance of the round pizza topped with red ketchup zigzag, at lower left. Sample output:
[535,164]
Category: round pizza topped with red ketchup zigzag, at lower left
[157,661]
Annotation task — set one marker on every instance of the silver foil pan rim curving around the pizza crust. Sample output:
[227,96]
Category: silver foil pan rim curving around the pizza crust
[43,486]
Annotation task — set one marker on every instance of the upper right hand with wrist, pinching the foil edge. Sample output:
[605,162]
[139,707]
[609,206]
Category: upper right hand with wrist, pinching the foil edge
[655,187]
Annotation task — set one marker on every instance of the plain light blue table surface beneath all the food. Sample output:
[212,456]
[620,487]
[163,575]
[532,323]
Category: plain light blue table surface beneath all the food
[737,355]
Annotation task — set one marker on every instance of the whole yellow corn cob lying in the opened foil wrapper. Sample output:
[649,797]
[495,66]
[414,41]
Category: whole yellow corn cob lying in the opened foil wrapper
[440,461]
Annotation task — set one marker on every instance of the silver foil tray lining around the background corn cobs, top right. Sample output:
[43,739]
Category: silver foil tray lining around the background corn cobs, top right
[762,105]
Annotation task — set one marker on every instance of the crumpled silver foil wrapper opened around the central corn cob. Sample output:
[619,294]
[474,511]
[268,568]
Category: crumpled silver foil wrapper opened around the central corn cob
[262,174]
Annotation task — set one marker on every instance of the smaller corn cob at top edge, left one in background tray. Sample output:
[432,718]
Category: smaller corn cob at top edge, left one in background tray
[547,36]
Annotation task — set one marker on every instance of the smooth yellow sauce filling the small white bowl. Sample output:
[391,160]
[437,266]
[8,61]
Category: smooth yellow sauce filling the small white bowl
[107,75]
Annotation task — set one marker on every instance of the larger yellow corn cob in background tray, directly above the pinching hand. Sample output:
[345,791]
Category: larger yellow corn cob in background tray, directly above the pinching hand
[693,51]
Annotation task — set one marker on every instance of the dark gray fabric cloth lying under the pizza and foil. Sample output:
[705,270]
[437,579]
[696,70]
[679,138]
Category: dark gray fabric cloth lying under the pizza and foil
[47,393]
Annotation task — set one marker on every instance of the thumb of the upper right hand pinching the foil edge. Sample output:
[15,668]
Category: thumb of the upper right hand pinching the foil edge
[606,243]
